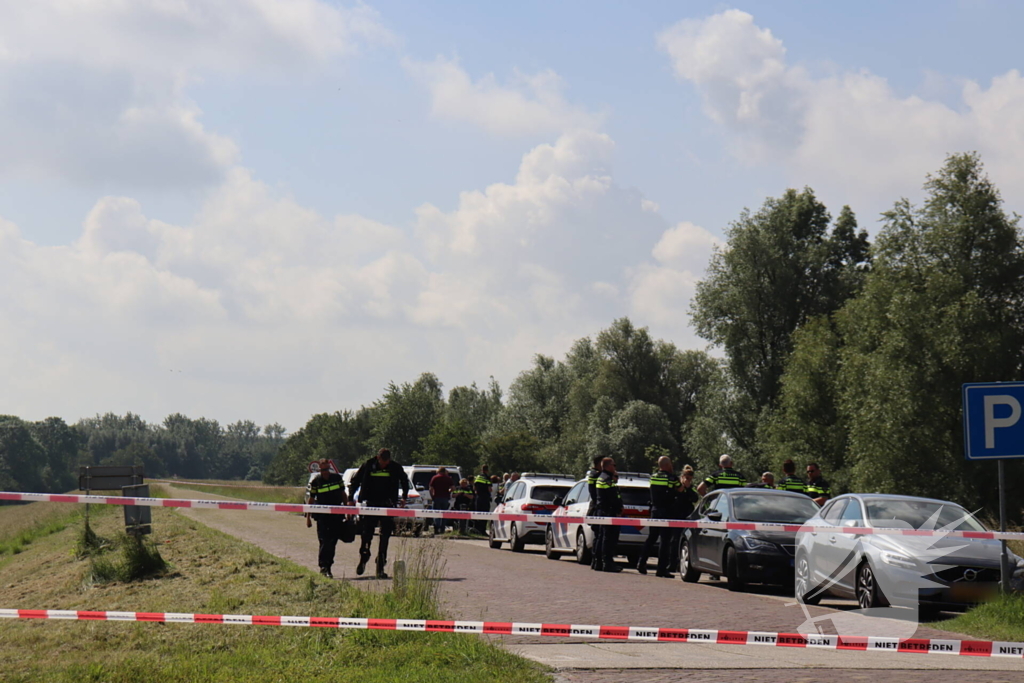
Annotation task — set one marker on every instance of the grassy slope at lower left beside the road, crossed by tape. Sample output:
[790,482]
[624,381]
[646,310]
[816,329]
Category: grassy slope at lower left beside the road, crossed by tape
[208,572]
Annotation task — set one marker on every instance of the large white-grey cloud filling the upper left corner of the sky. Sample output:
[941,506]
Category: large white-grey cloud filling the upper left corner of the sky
[94,92]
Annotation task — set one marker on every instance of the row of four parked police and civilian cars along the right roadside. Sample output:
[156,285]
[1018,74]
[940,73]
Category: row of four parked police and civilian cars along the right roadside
[875,570]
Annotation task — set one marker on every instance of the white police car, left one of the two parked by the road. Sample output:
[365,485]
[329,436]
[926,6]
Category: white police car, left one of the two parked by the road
[535,494]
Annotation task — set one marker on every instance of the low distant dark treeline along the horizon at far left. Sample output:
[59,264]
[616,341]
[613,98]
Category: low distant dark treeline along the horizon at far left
[46,456]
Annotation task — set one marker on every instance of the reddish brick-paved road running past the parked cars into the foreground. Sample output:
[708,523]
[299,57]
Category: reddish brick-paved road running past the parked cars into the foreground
[498,585]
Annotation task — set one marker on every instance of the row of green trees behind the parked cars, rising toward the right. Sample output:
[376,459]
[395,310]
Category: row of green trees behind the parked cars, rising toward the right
[834,349]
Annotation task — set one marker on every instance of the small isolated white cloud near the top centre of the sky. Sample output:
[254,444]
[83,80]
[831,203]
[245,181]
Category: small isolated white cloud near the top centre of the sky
[531,104]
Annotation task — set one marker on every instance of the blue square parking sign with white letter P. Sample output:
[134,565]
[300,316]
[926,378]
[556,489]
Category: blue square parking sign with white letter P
[994,420]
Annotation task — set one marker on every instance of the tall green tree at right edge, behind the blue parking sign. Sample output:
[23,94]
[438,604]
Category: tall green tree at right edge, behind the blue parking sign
[944,306]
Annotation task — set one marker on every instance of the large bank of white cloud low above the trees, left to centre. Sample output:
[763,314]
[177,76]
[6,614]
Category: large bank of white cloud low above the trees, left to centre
[264,309]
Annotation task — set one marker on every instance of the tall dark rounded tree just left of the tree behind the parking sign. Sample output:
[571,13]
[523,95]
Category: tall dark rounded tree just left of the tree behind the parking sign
[782,268]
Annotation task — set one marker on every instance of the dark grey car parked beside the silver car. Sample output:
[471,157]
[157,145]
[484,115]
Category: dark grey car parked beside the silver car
[745,557]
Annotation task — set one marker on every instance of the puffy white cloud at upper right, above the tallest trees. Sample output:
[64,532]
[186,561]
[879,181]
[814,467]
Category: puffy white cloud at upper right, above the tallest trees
[848,134]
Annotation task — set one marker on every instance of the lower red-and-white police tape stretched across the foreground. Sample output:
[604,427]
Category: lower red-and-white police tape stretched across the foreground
[986,649]
